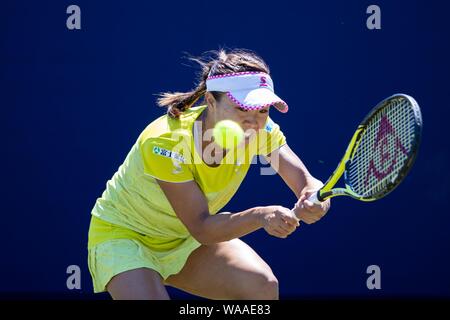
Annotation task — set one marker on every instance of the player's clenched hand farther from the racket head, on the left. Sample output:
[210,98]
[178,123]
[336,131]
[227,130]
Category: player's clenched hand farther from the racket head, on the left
[278,221]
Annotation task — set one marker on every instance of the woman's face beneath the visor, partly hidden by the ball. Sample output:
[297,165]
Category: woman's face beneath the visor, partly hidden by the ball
[250,121]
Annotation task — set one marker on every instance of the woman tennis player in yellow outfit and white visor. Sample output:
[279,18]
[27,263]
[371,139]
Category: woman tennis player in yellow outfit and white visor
[159,223]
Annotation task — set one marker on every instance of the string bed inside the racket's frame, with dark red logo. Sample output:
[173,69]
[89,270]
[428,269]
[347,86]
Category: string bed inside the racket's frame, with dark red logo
[383,149]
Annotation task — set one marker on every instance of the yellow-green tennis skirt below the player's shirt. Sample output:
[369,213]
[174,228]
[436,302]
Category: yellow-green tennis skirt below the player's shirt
[113,249]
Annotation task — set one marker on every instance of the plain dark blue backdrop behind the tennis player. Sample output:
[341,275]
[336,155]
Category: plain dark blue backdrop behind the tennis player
[73,102]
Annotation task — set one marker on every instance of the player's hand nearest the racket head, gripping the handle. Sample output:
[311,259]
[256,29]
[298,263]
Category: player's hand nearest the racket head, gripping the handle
[306,210]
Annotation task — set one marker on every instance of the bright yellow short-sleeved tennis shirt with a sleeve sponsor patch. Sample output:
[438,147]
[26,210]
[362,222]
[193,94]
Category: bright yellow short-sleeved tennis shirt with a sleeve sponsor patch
[168,150]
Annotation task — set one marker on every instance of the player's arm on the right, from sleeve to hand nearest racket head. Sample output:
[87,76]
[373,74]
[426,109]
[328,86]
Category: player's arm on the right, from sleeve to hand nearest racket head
[295,174]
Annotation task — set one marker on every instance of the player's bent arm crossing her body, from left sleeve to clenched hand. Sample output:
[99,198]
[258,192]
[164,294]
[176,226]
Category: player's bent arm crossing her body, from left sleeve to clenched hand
[191,207]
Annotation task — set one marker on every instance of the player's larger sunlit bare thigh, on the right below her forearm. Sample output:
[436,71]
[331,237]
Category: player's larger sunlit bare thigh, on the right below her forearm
[226,270]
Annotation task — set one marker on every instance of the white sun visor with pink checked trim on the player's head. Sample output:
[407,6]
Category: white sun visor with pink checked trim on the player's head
[249,90]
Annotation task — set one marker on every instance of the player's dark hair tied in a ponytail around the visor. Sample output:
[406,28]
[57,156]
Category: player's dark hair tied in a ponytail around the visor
[217,63]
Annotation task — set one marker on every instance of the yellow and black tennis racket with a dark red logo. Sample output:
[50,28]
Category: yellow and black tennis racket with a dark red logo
[380,153]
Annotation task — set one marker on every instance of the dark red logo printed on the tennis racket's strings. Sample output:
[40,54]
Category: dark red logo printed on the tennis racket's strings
[387,148]
